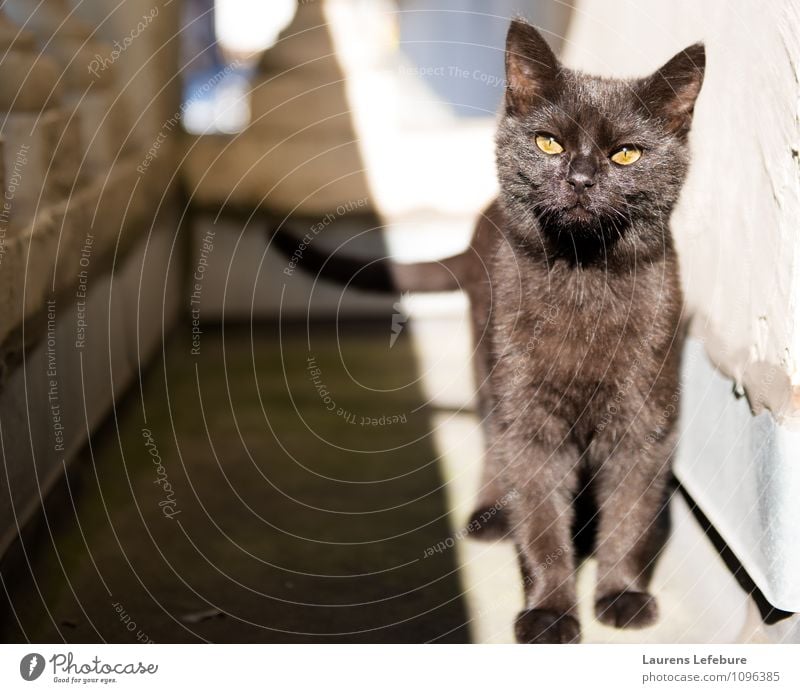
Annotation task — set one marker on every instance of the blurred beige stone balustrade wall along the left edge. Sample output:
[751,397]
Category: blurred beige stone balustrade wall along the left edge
[86,230]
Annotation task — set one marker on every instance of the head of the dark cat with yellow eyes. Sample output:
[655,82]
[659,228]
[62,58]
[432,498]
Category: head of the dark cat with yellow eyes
[588,156]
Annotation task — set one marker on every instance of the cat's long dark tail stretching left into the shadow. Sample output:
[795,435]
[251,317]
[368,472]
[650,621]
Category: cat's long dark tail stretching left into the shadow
[380,276]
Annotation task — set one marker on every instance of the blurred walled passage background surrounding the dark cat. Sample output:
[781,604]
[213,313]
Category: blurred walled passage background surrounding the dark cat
[202,443]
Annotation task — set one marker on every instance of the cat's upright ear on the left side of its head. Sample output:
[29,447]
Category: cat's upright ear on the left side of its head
[531,67]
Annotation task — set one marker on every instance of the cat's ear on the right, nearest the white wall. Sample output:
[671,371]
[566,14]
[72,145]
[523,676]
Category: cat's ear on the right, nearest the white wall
[670,93]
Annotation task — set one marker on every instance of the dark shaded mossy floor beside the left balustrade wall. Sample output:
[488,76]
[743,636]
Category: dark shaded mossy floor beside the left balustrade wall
[292,520]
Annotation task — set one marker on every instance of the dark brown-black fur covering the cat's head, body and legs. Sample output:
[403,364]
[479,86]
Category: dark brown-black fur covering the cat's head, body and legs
[576,308]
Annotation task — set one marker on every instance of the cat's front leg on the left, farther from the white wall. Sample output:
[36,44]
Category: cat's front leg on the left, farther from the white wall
[541,518]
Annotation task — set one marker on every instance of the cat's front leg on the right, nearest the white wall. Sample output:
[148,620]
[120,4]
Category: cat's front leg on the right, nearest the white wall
[632,495]
